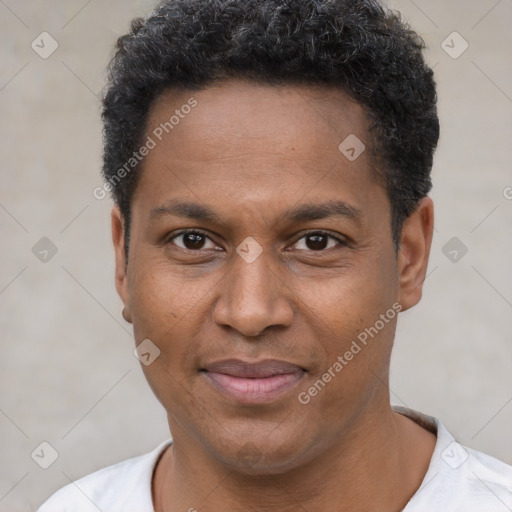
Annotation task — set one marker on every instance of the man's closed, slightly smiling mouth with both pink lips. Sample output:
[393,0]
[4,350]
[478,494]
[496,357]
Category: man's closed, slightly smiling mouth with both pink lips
[253,383]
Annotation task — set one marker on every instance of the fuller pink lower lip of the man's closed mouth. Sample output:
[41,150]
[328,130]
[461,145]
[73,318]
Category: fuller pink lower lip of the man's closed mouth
[258,390]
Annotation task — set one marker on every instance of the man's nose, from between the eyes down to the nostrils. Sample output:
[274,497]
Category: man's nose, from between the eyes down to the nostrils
[252,298]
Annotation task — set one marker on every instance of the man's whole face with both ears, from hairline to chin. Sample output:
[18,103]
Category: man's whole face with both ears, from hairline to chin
[259,254]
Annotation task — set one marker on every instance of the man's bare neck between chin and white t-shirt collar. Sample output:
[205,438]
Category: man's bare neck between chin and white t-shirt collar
[378,464]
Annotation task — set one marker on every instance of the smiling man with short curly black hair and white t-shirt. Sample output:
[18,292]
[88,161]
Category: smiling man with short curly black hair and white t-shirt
[270,163]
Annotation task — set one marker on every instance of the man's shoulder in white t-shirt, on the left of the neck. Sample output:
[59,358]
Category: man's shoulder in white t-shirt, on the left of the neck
[125,486]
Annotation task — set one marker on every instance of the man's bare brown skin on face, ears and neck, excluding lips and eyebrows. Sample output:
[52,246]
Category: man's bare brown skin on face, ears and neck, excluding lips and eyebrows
[250,153]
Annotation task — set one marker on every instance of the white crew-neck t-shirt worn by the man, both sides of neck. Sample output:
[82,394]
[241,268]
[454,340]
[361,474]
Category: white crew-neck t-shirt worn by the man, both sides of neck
[458,479]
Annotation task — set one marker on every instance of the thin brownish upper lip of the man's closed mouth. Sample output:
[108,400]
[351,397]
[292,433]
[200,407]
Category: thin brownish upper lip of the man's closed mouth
[260,369]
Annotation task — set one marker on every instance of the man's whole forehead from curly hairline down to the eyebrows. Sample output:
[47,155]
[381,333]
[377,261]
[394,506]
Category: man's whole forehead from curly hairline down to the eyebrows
[257,144]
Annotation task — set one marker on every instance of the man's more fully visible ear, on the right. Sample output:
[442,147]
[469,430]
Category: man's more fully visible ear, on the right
[416,240]
